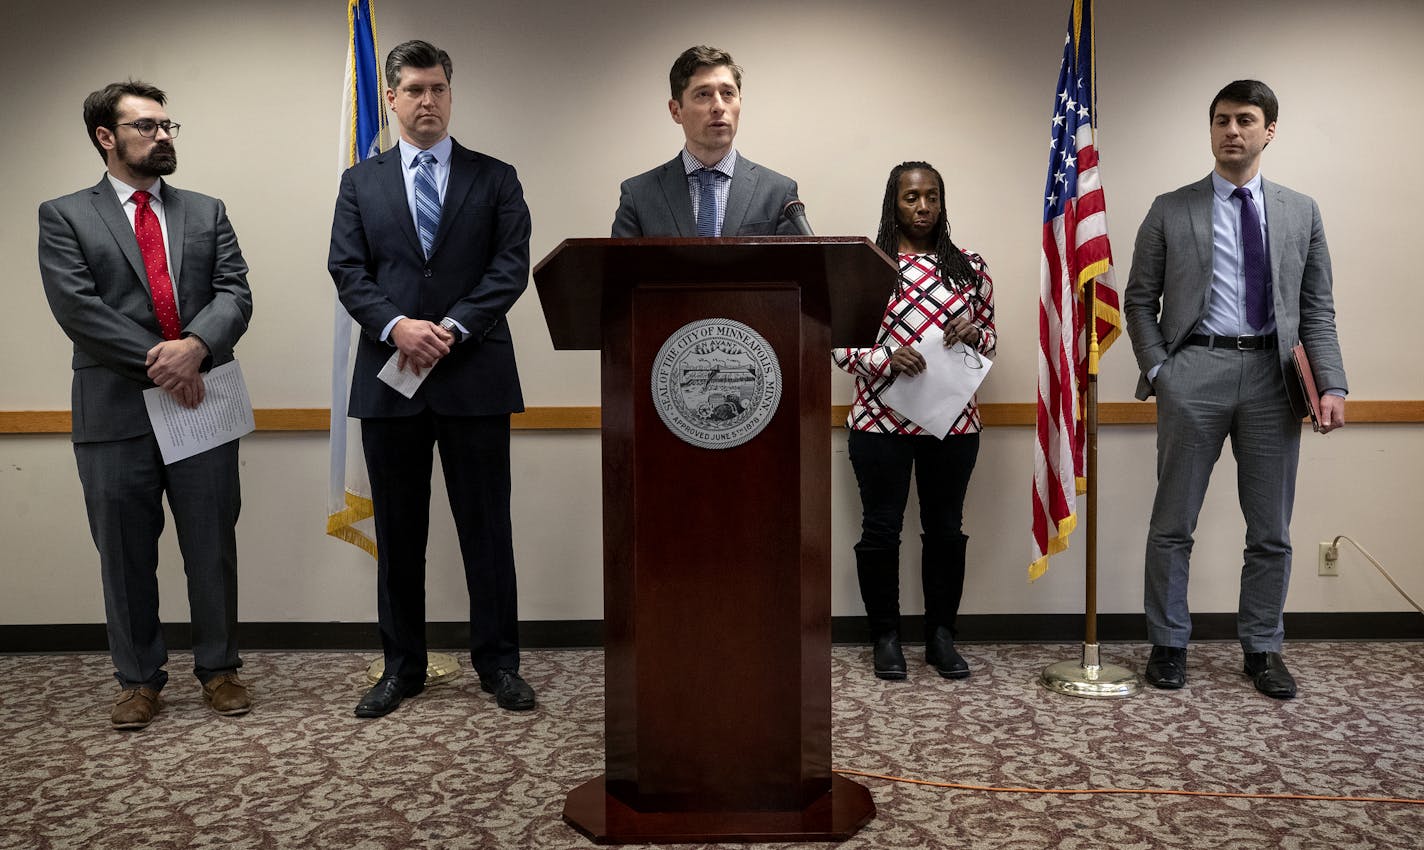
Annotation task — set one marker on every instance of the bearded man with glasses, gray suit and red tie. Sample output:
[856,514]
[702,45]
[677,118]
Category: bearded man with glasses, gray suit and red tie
[150,285]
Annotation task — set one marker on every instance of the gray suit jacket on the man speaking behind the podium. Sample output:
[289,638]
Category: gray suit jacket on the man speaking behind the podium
[659,204]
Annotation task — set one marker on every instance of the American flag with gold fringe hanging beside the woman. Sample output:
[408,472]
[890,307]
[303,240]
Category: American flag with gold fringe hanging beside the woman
[1076,254]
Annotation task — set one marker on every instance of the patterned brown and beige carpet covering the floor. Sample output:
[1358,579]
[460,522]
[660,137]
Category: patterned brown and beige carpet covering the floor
[449,770]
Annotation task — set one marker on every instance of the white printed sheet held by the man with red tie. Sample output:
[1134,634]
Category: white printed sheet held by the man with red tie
[224,415]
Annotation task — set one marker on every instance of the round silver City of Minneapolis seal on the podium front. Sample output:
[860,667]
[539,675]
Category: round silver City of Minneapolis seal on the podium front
[717,384]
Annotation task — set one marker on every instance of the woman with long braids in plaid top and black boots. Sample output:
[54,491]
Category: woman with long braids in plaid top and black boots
[941,287]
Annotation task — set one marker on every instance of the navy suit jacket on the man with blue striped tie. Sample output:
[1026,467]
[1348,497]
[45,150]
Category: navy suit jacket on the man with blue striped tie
[478,270]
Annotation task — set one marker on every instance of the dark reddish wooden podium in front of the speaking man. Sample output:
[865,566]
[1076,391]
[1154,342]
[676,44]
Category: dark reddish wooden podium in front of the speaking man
[717,562]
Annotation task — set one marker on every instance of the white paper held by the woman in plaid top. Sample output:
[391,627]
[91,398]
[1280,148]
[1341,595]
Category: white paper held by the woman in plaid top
[936,398]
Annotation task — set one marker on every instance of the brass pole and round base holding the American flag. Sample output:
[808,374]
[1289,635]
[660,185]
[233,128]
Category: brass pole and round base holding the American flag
[1090,677]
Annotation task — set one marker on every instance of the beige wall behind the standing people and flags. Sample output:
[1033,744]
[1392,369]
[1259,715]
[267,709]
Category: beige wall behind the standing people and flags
[835,93]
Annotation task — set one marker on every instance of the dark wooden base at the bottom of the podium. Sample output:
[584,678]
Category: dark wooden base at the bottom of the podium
[835,817]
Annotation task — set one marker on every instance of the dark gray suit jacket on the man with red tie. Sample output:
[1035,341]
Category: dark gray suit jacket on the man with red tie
[98,288]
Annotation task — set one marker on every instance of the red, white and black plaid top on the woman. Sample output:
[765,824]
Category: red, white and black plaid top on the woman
[921,301]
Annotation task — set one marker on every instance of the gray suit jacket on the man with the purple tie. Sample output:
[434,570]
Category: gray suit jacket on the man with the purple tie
[1171,283]
